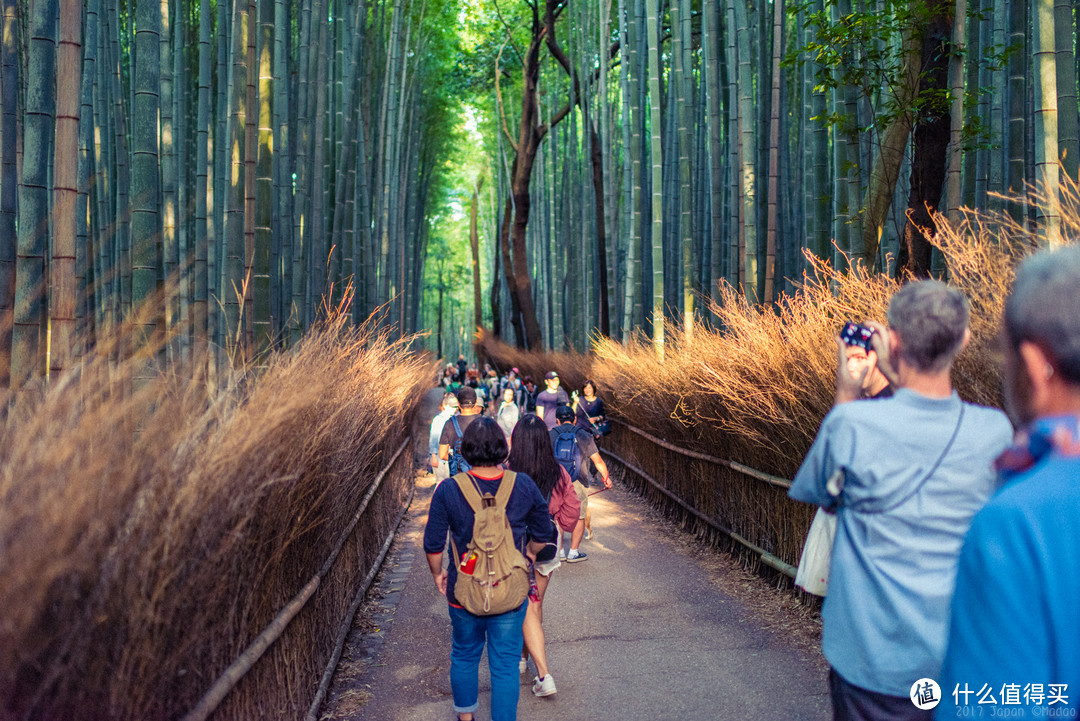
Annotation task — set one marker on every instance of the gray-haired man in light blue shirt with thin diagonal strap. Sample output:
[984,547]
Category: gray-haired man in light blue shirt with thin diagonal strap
[904,475]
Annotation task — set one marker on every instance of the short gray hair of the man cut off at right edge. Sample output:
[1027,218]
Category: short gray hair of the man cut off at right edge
[1044,305]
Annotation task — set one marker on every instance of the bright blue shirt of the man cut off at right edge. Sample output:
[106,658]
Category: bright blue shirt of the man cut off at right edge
[1016,624]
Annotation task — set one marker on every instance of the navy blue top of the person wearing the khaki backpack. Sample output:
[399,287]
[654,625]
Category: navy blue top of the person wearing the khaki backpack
[526,511]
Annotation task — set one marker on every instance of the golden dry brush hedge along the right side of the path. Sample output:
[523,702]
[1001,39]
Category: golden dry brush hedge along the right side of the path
[757,390]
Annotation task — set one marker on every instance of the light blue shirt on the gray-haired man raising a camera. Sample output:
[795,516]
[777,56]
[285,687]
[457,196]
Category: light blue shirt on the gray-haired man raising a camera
[899,532]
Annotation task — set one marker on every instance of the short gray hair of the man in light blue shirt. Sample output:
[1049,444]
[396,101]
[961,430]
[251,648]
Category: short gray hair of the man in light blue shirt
[931,319]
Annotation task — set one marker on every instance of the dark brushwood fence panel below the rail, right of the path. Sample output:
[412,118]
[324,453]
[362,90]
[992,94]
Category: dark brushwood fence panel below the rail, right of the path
[719,499]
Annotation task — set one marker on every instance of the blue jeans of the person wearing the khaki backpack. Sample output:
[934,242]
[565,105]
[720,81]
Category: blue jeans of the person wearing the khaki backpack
[504,636]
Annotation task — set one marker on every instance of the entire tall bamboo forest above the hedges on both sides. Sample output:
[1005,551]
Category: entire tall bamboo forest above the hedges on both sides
[563,168]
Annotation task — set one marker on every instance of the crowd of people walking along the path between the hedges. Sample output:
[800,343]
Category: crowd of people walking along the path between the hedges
[491,433]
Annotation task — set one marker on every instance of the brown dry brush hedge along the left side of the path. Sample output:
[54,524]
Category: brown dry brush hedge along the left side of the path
[152,528]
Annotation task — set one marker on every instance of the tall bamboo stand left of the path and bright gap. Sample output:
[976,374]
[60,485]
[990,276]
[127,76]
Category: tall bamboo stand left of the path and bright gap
[221,174]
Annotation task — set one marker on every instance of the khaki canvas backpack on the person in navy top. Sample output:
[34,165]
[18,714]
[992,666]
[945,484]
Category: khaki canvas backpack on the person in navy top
[499,581]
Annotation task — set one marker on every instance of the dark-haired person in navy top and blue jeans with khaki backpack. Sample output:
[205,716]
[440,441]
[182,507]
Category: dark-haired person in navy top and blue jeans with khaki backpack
[526,512]
